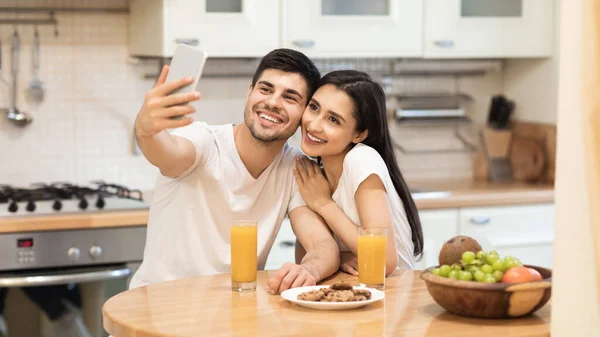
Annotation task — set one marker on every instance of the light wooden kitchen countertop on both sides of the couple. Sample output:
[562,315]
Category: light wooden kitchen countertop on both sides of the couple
[429,195]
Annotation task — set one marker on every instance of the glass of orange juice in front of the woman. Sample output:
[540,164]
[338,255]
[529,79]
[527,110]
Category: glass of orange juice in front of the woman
[372,244]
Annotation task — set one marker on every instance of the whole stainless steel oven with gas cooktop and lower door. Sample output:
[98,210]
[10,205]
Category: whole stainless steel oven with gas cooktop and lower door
[88,263]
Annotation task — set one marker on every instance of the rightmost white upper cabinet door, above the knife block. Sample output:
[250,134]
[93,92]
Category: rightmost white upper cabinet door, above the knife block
[488,28]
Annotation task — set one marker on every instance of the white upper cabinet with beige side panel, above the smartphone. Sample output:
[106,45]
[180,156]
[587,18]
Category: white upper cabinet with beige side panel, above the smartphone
[224,28]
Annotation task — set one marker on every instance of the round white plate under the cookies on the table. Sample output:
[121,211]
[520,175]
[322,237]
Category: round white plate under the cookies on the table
[292,296]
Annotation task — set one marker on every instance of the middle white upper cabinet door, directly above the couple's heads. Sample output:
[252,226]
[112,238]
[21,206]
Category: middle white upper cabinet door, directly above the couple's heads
[353,28]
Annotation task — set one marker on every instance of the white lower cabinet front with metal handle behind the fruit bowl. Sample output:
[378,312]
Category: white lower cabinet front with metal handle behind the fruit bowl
[525,232]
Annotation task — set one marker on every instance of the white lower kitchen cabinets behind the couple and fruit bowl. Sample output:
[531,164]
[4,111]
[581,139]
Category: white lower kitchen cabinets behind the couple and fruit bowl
[522,231]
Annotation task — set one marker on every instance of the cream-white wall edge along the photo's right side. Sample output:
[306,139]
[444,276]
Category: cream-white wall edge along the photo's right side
[575,309]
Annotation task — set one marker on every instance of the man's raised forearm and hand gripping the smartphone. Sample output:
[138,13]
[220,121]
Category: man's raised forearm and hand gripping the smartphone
[171,154]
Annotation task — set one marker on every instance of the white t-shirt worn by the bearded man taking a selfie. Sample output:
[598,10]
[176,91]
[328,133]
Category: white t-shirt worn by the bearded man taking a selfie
[190,215]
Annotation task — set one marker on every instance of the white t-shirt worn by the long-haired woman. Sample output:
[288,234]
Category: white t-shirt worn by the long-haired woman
[359,163]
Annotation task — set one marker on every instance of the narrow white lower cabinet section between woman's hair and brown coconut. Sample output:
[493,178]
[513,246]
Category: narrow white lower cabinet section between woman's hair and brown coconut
[438,227]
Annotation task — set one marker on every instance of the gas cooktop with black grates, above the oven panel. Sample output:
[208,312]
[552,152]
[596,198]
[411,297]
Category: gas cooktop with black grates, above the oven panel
[67,198]
